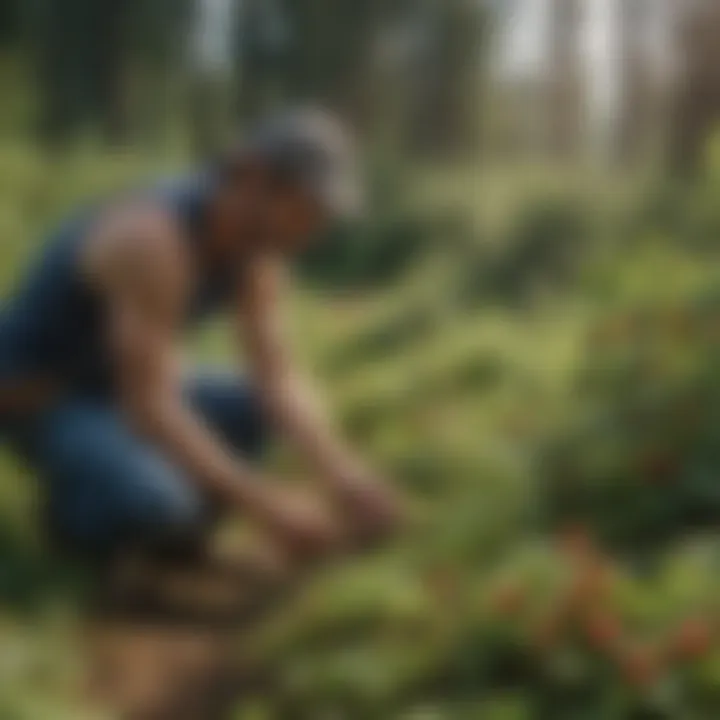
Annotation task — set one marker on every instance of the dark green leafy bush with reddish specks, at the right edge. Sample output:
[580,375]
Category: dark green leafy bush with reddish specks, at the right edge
[639,456]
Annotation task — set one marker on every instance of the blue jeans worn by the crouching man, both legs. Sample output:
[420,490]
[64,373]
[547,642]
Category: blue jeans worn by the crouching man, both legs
[106,485]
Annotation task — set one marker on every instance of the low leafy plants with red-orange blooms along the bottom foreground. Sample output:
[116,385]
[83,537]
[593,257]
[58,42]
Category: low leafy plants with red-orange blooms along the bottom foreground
[560,628]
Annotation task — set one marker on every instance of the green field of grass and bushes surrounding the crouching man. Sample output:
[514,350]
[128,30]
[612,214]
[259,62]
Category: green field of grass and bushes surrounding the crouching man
[539,370]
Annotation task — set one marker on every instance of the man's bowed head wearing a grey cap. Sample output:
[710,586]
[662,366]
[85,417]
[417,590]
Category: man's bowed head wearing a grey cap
[287,181]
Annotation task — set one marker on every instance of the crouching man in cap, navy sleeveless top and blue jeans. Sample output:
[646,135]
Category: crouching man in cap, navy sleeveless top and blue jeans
[91,393]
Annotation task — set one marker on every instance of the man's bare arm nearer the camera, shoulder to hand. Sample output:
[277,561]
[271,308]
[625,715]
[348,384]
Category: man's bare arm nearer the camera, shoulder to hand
[137,261]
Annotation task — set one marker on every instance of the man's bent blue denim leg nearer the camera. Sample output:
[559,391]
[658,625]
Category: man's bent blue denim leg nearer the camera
[105,484]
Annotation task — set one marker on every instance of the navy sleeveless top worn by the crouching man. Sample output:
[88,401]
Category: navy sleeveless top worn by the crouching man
[54,325]
